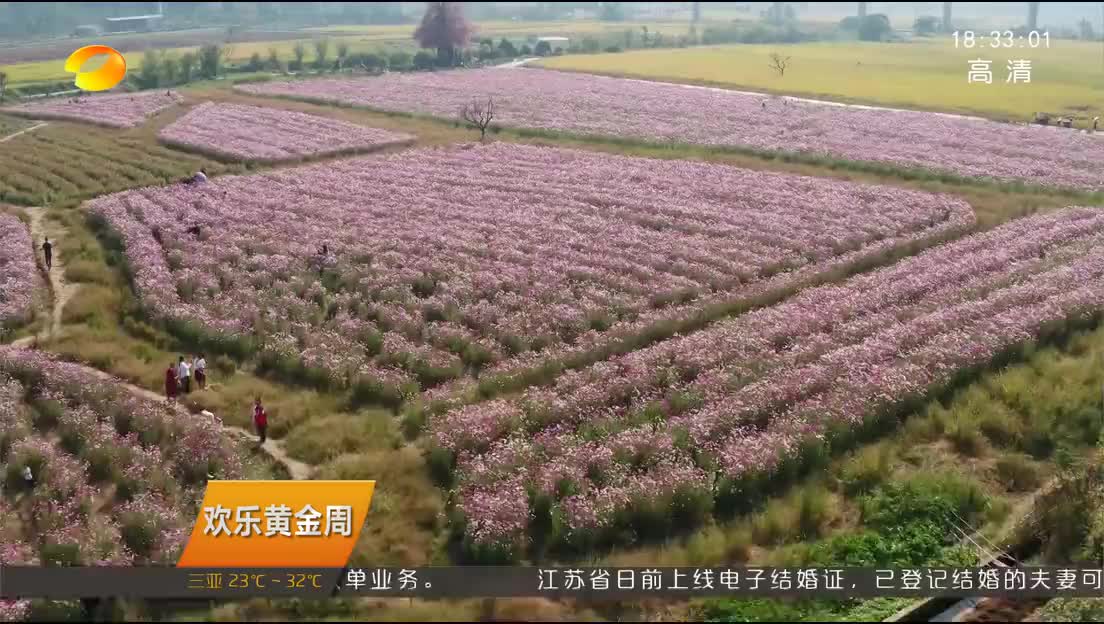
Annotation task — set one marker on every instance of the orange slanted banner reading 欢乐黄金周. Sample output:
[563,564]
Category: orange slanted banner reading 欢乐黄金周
[279,524]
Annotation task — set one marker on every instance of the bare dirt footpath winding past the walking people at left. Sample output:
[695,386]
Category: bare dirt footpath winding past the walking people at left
[61,292]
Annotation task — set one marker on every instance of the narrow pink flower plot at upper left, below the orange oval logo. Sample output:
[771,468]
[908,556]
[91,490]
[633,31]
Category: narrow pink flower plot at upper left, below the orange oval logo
[119,111]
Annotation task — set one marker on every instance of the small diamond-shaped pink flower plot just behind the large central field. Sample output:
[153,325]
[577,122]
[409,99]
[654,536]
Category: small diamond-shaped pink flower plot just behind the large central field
[252,133]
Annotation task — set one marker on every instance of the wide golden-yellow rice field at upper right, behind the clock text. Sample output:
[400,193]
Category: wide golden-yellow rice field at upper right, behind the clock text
[1067,79]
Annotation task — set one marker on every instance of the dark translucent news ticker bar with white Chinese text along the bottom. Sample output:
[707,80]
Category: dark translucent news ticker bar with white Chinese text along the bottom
[593,584]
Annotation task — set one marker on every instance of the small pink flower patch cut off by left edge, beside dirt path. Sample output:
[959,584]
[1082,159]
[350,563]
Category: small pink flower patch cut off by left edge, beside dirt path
[18,271]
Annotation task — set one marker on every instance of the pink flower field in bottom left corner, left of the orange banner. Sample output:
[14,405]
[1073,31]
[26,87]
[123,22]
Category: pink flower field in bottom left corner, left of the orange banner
[118,480]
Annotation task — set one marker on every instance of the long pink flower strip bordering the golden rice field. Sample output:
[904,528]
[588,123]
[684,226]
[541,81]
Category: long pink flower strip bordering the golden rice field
[589,104]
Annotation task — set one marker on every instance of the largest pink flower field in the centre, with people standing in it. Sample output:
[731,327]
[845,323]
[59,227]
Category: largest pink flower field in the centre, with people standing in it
[546,252]
